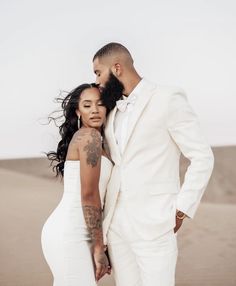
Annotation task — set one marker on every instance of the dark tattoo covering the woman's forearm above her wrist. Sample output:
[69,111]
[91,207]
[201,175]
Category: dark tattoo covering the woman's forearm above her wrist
[93,219]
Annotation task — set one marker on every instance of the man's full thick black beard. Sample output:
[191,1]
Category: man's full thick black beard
[112,92]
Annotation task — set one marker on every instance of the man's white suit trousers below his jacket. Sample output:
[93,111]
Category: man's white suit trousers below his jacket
[137,262]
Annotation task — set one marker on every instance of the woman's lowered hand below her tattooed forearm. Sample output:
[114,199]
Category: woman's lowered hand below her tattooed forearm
[101,264]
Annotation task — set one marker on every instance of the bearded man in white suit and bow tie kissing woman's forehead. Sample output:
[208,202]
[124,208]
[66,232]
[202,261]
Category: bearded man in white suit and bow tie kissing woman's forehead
[146,132]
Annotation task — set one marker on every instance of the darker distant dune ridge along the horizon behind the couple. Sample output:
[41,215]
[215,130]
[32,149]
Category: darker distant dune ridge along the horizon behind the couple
[221,188]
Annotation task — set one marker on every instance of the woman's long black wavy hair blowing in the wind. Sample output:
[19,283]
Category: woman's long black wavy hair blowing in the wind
[67,129]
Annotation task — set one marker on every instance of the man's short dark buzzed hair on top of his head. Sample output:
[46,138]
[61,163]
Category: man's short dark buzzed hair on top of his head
[110,49]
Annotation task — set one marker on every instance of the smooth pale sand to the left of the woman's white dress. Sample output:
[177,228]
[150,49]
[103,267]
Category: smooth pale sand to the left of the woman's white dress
[25,203]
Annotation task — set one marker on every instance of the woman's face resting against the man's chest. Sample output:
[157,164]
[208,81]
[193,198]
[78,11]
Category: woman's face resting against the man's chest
[91,110]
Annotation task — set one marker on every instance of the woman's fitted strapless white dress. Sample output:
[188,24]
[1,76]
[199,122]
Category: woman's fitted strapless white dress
[65,239]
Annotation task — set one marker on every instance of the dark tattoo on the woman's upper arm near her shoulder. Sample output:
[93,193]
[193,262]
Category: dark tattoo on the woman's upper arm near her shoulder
[93,149]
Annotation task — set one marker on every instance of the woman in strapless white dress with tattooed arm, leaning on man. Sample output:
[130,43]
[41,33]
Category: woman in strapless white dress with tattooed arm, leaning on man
[72,240]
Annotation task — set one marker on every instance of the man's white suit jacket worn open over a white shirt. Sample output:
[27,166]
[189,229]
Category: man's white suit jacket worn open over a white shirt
[161,126]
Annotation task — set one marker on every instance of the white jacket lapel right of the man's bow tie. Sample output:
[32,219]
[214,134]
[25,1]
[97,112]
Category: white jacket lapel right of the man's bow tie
[142,101]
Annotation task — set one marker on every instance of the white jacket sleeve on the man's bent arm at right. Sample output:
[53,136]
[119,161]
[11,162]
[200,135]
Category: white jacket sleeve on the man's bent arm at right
[184,129]
